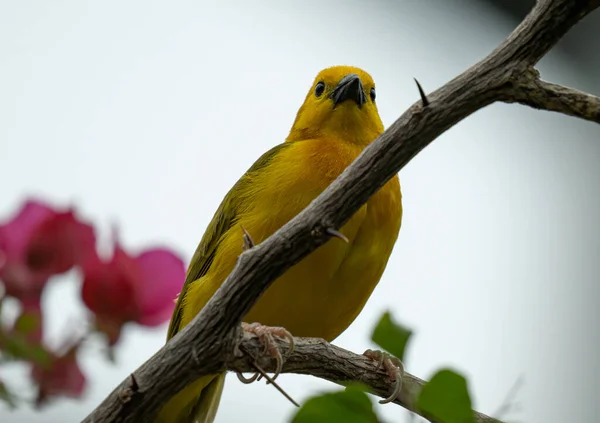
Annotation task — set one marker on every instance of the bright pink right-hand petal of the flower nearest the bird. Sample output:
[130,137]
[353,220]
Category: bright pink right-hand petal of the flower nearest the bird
[162,276]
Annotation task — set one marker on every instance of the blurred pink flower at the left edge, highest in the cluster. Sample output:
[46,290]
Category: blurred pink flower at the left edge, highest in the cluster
[38,243]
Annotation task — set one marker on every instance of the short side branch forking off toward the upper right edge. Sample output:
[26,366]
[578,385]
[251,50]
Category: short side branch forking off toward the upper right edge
[531,91]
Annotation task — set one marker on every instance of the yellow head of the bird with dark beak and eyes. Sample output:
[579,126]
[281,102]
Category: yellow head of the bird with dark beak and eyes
[340,104]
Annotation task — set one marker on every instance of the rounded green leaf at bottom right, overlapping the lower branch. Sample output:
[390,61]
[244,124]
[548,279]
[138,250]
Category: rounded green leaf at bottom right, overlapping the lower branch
[445,398]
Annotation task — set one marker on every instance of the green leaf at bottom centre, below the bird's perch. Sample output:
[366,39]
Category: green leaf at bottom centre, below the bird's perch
[349,406]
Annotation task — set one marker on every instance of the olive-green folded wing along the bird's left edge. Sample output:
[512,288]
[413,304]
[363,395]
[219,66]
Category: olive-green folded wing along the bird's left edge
[224,218]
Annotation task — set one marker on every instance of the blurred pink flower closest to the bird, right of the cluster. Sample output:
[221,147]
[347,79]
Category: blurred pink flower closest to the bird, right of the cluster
[137,289]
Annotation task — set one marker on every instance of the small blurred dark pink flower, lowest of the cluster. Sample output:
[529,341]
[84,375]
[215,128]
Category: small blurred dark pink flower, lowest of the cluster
[61,376]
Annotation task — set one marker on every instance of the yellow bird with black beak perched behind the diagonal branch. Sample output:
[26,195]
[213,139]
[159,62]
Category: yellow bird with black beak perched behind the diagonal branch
[321,295]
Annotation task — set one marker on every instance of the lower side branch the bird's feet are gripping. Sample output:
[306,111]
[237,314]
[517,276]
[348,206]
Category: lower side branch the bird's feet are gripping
[316,357]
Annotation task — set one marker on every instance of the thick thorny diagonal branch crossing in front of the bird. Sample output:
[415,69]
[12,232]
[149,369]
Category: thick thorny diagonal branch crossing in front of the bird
[207,344]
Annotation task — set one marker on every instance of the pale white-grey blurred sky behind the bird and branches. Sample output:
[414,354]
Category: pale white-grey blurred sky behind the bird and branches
[145,114]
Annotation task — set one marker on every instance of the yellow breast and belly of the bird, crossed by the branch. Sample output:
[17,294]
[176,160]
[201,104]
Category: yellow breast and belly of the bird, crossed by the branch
[321,295]
